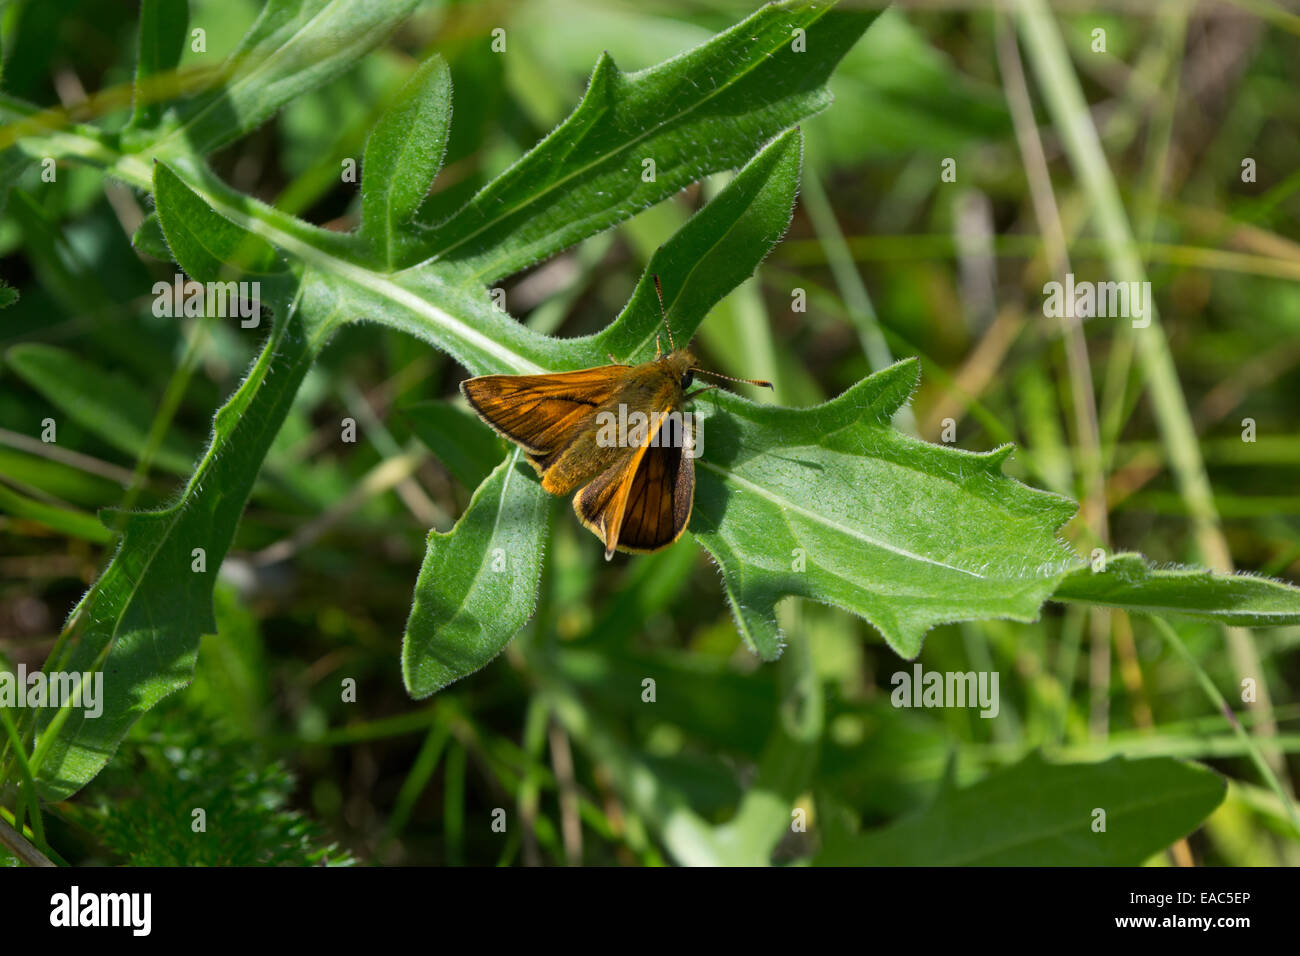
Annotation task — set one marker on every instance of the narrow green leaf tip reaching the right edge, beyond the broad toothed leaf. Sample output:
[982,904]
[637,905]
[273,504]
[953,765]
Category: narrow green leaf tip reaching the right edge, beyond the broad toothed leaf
[1133,583]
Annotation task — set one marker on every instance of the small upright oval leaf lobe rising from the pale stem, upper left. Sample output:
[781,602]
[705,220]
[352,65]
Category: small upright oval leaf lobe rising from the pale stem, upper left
[404,155]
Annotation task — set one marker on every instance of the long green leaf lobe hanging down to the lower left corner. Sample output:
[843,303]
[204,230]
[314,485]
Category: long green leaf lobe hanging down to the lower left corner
[142,620]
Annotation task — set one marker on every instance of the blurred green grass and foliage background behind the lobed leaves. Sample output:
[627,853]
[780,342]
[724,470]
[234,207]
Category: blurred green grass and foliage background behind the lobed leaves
[895,263]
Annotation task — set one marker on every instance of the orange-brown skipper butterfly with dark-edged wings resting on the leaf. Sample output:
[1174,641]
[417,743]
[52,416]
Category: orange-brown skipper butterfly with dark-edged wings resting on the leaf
[616,435]
